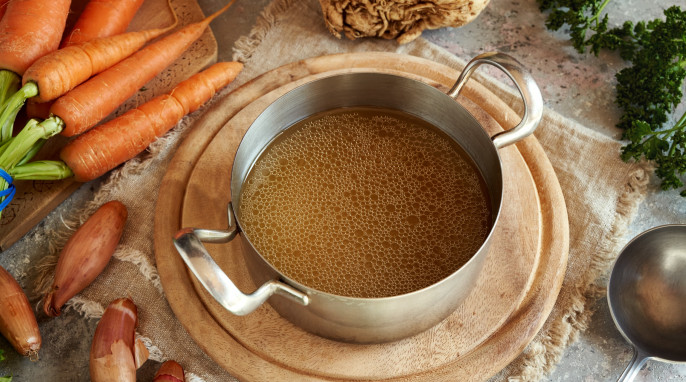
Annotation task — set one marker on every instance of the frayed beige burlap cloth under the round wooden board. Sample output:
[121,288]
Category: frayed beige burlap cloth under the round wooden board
[601,192]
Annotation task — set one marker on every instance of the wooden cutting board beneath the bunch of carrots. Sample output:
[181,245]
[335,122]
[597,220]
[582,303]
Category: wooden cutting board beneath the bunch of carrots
[35,199]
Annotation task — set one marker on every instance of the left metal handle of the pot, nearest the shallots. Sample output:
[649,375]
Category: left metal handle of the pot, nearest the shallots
[188,241]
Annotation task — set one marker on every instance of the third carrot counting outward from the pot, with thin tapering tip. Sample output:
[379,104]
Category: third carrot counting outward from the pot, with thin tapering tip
[62,70]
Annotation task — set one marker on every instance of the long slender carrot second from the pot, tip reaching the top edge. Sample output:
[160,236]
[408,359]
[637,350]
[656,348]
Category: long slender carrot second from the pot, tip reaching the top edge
[90,102]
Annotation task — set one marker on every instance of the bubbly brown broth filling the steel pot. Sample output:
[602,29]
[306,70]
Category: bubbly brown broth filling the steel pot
[365,202]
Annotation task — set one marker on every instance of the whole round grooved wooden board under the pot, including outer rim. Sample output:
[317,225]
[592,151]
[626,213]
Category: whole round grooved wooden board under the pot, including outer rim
[483,333]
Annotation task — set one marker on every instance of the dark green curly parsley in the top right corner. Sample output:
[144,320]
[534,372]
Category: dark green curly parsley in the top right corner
[649,91]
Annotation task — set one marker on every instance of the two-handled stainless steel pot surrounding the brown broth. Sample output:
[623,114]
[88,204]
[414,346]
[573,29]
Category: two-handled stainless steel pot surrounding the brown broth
[362,320]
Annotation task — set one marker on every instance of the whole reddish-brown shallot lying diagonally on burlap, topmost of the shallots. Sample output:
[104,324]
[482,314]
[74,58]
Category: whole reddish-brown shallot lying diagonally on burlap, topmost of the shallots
[86,254]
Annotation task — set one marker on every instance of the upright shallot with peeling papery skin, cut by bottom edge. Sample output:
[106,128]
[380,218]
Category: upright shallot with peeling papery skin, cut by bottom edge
[115,354]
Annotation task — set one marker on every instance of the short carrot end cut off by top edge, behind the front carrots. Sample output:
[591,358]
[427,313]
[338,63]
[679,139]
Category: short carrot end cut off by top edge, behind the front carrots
[102,18]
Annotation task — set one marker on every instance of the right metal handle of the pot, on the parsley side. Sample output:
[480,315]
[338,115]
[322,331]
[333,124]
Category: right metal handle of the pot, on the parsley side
[531,94]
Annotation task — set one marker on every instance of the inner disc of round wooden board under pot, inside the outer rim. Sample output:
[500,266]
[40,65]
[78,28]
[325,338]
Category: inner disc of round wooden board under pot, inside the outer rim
[501,287]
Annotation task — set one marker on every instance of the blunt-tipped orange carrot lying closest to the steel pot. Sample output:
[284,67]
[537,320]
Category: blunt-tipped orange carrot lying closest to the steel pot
[110,144]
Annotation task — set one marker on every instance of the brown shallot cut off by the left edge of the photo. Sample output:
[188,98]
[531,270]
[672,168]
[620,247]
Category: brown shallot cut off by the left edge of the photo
[17,320]
